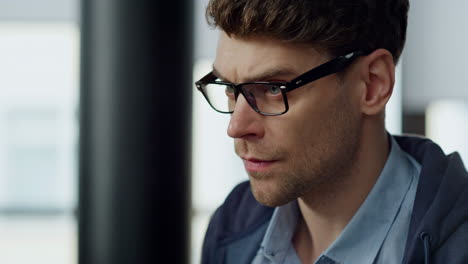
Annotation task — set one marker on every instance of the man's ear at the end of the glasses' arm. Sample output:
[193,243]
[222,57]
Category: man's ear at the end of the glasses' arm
[378,72]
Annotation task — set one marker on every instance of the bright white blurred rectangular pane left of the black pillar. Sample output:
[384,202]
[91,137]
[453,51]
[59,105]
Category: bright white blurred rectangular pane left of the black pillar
[38,125]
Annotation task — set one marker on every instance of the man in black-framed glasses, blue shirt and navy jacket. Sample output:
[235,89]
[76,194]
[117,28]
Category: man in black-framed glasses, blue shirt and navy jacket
[306,83]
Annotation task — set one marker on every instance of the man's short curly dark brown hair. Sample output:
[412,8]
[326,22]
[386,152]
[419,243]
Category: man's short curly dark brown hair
[335,26]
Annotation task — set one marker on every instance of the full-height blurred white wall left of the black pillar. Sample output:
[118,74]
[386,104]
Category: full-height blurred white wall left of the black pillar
[39,59]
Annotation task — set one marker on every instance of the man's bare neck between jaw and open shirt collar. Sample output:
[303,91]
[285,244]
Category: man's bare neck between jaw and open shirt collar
[326,214]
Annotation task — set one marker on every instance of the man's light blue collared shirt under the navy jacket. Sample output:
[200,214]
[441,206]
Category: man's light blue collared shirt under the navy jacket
[376,233]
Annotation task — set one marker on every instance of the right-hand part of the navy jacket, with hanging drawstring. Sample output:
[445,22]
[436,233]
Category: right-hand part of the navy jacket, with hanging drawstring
[441,204]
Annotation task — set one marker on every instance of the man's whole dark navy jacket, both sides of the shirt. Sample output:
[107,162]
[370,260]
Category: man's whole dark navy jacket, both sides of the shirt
[439,224]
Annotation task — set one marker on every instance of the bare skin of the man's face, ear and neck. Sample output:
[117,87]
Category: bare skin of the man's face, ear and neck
[327,150]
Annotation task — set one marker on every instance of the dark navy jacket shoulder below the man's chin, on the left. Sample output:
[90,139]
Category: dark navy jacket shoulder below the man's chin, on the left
[239,215]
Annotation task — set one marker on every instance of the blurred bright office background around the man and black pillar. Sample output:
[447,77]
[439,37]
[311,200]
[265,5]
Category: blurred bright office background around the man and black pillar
[39,96]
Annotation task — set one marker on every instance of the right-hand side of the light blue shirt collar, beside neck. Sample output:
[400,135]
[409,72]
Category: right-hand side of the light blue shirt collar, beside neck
[364,235]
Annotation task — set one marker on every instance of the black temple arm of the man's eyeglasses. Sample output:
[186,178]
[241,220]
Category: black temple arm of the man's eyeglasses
[323,70]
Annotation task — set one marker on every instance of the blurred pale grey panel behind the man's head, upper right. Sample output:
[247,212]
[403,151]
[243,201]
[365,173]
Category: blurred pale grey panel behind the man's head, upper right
[436,55]
